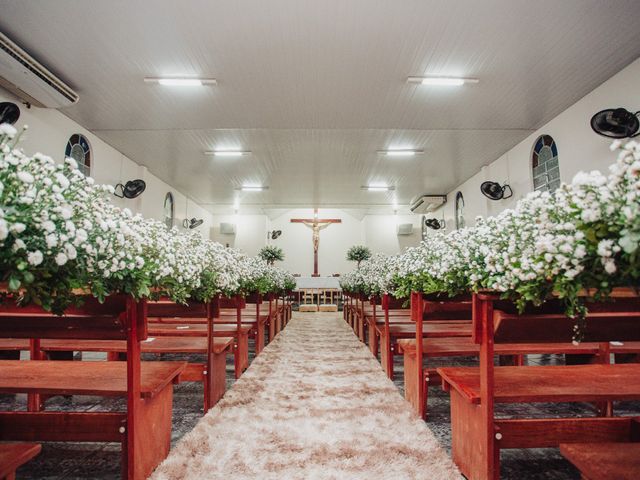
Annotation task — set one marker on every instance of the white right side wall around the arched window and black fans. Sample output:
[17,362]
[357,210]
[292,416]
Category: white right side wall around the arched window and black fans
[579,148]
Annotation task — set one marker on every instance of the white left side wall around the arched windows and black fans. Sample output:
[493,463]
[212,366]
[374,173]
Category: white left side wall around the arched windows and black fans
[48,133]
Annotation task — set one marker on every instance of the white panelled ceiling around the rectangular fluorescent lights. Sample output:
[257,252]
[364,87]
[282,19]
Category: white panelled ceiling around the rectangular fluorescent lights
[315,88]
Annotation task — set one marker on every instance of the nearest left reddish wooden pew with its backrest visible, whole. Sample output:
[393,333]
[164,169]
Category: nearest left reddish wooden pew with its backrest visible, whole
[143,430]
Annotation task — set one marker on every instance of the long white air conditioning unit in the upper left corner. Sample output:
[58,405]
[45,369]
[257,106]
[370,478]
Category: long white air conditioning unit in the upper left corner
[23,76]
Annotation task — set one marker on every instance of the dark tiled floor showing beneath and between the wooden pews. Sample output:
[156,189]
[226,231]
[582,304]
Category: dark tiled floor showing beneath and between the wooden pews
[102,461]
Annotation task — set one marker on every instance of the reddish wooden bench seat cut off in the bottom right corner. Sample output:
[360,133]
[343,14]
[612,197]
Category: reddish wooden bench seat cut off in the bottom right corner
[605,461]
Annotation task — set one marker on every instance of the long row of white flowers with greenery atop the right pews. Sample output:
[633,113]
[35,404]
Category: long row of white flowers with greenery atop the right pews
[585,236]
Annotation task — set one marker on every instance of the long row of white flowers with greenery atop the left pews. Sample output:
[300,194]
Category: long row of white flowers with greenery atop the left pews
[60,233]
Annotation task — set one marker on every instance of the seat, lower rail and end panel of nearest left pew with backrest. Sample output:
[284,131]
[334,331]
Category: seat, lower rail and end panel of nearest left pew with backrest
[108,379]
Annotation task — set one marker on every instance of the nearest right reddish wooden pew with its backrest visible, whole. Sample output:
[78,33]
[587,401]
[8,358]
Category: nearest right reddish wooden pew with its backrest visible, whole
[478,437]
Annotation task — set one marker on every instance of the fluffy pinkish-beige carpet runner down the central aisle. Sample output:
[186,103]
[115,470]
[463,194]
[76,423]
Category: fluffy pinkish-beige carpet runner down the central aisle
[314,405]
